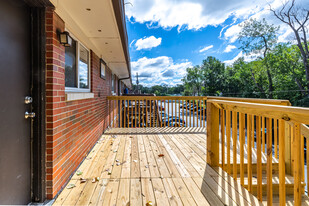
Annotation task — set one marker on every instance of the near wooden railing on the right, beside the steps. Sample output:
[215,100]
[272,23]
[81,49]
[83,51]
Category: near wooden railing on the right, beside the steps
[240,131]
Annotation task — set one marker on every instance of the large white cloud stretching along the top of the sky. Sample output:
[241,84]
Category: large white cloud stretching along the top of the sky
[190,14]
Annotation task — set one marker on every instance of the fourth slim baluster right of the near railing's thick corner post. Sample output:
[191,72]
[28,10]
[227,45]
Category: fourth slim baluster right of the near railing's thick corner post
[241,145]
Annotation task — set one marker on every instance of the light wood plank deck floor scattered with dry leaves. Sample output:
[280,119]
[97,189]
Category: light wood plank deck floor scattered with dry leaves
[165,166]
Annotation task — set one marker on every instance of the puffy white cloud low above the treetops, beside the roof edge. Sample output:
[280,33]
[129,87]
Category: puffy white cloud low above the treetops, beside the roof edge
[153,71]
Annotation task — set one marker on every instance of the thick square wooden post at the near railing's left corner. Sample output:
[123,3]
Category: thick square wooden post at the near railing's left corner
[212,135]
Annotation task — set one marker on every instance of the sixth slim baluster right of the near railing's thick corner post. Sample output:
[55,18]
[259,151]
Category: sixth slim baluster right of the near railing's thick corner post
[259,158]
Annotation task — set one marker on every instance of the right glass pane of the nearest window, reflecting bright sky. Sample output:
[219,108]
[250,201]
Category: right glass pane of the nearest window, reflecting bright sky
[83,68]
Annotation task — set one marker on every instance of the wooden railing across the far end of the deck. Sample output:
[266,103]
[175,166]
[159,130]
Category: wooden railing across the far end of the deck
[157,111]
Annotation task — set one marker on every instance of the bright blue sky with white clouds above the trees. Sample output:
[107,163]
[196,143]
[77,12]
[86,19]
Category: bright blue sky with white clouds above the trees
[167,36]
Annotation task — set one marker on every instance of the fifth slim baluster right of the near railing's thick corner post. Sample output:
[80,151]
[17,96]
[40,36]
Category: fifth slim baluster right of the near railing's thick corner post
[249,151]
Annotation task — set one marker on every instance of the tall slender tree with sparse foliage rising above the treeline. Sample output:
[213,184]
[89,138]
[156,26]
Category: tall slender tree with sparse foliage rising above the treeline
[259,37]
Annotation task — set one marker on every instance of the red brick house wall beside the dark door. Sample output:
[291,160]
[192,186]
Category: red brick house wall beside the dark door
[72,127]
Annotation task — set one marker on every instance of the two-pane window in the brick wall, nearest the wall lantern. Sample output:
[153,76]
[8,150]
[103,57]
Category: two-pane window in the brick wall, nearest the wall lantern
[77,68]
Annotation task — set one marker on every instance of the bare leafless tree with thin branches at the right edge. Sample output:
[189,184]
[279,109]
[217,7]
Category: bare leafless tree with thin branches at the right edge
[297,19]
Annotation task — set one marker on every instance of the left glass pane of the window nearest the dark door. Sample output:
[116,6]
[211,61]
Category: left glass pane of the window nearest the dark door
[70,65]
